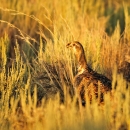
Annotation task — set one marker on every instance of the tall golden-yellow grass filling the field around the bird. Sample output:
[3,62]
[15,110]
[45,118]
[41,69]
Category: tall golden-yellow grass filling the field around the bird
[36,89]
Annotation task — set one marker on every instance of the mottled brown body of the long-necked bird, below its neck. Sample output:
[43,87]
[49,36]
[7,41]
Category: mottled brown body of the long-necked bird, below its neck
[92,83]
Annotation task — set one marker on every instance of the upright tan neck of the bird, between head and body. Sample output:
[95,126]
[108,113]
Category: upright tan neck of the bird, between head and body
[82,63]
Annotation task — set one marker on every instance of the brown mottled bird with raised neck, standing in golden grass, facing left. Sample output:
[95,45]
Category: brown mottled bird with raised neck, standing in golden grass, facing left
[87,81]
